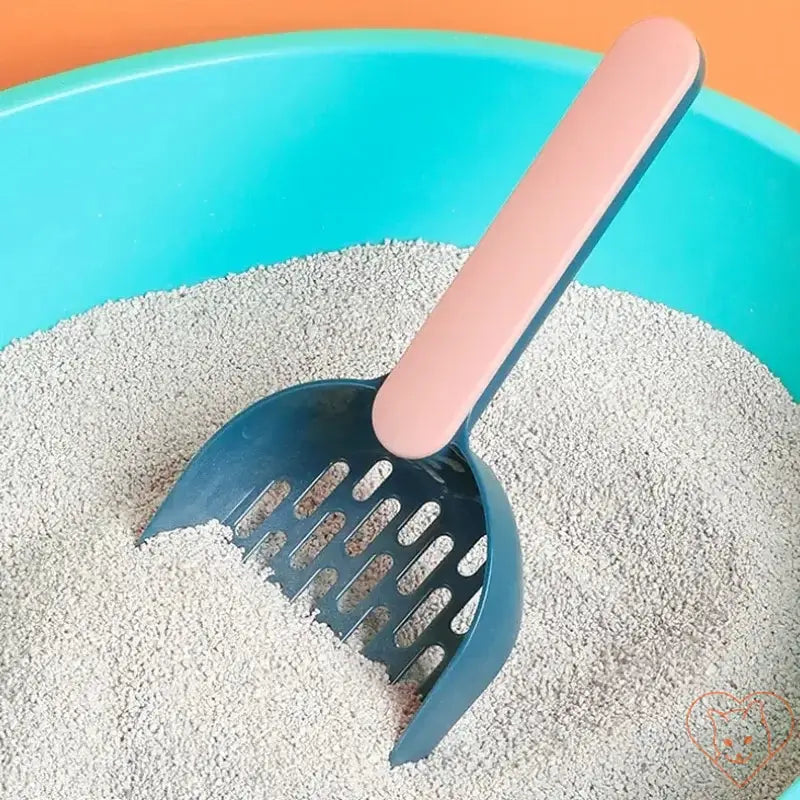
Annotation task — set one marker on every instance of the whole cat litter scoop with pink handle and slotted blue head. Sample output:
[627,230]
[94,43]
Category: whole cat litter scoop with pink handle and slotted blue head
[288,472]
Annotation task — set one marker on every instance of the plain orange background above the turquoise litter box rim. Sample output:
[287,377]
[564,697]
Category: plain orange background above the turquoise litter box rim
[751,45]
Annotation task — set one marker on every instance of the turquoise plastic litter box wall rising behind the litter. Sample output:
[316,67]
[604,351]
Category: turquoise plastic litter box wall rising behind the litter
[174,167]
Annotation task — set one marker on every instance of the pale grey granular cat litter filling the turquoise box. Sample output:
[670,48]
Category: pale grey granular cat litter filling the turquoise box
[654,469]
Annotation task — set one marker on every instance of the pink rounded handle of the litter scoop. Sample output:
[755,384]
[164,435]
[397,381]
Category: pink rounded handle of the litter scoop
[551,213]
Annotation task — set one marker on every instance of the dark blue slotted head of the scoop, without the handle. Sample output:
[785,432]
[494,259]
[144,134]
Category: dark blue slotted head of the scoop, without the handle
[395,566]
